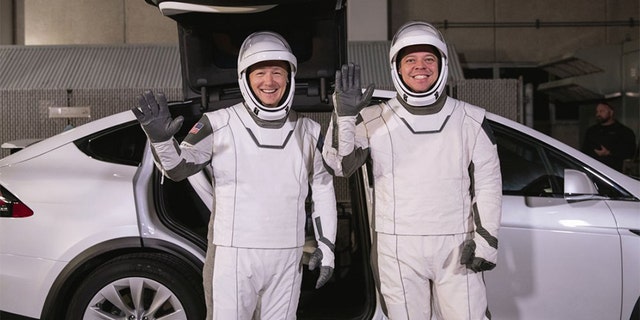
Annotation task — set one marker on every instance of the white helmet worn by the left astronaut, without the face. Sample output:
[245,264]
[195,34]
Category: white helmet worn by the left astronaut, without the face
[259,47]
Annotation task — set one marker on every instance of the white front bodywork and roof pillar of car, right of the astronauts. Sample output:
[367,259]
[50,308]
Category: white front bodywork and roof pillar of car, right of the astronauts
[562,259]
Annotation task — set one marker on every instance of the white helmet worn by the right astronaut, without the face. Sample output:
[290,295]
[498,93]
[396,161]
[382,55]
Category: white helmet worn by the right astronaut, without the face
[419,33]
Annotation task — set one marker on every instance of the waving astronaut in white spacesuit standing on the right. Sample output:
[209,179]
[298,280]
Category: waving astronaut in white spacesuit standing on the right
[437,181]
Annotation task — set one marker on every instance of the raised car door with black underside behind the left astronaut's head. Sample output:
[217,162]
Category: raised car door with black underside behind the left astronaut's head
[211,33]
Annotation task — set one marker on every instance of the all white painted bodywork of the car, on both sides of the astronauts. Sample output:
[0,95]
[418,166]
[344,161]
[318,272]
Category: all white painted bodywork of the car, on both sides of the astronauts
[558,259]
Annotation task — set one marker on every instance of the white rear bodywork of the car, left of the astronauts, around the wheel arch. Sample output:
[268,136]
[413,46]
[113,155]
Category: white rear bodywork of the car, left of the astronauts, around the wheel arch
[79,203]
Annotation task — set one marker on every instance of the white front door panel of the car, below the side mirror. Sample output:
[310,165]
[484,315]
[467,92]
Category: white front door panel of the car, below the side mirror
[541,250]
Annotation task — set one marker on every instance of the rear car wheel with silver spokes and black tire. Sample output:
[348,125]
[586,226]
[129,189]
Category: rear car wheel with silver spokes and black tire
[139,286]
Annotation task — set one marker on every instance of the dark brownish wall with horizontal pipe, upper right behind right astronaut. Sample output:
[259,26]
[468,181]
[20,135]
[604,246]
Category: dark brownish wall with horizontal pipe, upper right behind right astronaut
[491,34]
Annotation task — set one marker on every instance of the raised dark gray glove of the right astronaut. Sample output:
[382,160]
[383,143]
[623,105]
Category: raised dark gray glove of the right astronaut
[348,98]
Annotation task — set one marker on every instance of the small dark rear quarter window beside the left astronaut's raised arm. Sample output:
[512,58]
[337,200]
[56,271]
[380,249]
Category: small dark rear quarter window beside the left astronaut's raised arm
[122,144]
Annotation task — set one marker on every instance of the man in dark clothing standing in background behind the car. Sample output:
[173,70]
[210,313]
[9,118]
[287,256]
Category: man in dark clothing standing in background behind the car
[609,141]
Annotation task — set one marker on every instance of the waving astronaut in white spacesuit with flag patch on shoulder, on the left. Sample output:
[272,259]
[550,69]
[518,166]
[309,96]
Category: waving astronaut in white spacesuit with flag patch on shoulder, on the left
[263,157]
